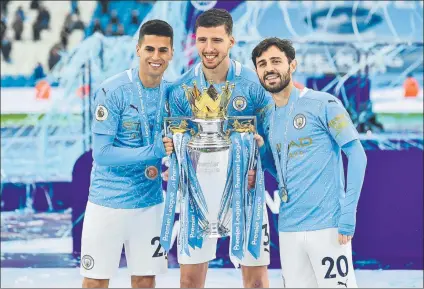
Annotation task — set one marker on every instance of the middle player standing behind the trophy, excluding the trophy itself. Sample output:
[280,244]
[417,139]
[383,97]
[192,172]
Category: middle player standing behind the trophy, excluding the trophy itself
[213,42]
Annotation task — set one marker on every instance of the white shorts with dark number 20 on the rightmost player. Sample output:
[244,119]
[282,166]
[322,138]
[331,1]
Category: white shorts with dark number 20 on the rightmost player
[315,259]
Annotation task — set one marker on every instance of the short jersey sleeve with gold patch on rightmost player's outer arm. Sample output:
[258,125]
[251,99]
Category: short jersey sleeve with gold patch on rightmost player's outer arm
[338,122]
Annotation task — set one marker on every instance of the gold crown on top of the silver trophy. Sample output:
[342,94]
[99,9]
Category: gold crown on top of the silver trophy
[209,104]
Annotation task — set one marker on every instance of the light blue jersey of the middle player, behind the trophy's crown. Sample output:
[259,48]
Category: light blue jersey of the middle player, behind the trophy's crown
[248,98]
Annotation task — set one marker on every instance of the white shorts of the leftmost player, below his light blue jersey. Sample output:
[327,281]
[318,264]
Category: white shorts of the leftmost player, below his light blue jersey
[107,230]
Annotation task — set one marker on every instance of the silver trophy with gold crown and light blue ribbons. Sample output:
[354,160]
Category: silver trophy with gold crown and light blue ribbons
[209,169]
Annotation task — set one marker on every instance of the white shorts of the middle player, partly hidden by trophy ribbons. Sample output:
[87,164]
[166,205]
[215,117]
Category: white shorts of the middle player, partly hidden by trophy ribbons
[208,250]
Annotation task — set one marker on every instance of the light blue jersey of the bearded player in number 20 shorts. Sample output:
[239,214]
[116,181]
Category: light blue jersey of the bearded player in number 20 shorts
[307,135]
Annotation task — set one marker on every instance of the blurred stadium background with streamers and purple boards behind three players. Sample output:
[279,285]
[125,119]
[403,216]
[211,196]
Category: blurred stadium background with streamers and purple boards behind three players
[54,55]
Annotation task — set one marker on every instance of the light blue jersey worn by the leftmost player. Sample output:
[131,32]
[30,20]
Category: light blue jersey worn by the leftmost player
[126,174]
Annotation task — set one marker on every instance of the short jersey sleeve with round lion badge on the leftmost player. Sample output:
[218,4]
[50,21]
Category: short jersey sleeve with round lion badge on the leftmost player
[107,112]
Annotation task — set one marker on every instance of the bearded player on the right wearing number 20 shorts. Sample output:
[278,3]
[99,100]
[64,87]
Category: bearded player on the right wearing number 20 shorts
[307,131]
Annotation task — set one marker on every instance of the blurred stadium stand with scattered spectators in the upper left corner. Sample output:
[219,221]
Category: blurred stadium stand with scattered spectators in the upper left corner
[68,26]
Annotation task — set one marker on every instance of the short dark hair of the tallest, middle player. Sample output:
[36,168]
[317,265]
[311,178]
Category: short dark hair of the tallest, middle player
[214,18]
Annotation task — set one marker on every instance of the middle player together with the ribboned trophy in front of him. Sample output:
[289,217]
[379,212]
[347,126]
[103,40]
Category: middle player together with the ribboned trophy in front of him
[215,168]
